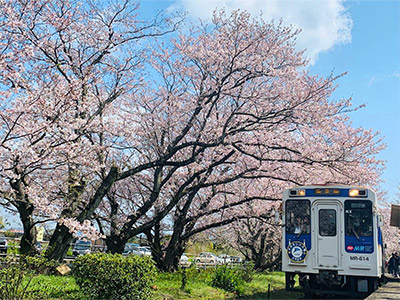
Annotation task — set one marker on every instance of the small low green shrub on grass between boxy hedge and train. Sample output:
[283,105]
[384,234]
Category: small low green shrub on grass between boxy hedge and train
[227,279]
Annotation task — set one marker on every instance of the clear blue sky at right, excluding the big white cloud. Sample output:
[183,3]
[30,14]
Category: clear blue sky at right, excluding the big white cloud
[372,60]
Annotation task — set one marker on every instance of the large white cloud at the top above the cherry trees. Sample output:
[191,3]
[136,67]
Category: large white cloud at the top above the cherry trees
[324,23]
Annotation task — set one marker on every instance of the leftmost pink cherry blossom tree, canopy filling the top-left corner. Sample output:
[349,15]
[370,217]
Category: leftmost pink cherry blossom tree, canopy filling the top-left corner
[63,65]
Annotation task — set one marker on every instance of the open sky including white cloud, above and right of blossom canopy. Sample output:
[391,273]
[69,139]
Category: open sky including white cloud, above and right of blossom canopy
[358,37]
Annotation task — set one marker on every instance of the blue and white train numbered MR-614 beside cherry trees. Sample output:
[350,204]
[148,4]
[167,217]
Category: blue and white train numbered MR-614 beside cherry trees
[332,240]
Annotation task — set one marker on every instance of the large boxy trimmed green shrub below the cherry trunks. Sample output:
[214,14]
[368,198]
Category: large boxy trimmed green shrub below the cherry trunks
[113,276]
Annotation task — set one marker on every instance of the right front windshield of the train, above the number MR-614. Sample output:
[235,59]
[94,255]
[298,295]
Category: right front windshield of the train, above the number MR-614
[358,218]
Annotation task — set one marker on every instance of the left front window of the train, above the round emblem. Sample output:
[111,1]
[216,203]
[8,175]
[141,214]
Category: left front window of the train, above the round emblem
[298,217]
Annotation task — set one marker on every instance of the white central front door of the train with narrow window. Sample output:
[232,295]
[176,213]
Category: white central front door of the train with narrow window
[327,234]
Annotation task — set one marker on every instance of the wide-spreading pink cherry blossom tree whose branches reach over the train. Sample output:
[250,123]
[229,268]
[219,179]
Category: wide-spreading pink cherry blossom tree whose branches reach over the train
[234,118]
